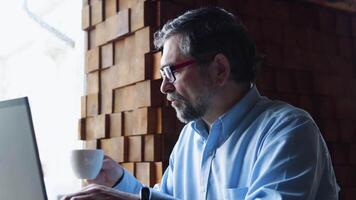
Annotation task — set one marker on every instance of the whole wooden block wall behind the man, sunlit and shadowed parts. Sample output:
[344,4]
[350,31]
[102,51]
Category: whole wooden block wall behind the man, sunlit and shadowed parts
[310,62]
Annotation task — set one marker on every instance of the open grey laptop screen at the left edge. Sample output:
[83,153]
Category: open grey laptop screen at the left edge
[21,174]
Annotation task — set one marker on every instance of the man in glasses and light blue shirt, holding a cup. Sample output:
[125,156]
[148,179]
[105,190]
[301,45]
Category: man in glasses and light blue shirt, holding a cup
[236,144]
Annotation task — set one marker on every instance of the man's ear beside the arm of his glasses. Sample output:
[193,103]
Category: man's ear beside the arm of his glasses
[220,69]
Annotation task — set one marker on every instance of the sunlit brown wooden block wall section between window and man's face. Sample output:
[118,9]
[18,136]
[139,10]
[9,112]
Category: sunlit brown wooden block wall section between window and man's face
[123,111]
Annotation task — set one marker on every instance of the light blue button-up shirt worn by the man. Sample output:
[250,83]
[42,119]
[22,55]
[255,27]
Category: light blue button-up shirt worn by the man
[259,149]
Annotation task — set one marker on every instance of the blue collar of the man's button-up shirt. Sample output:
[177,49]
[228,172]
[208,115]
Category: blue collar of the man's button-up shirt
[230,120]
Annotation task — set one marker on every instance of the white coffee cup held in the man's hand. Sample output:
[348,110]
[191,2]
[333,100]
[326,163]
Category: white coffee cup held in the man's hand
[86,163]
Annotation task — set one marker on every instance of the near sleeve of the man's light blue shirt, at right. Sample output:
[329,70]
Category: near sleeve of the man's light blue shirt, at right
[290,162]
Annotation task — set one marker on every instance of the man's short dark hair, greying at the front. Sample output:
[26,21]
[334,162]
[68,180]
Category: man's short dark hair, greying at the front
[212,30]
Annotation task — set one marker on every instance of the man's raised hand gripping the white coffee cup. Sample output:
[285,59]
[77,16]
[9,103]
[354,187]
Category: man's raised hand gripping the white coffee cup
[109,173]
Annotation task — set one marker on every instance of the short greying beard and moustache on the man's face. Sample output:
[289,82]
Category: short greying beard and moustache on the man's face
[186,111]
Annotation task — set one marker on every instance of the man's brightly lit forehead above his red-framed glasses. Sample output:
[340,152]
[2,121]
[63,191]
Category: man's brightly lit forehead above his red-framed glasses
[171,51]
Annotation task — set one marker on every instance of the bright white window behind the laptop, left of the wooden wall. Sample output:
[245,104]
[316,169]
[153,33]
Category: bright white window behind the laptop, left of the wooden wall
[38,62]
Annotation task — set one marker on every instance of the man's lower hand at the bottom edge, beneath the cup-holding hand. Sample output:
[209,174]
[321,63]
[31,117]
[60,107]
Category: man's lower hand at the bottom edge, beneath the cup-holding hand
[99,192]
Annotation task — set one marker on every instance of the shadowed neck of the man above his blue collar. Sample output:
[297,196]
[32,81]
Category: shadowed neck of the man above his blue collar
[224,99]
